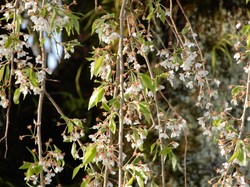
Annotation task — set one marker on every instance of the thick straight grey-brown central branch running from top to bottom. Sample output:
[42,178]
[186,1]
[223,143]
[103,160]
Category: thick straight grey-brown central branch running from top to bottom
[121,87]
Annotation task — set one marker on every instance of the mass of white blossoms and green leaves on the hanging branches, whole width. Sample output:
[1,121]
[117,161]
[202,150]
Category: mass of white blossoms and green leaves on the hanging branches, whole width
[139,129]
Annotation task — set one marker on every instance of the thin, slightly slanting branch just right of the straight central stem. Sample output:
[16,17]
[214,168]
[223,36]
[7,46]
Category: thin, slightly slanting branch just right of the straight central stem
[158,123]
